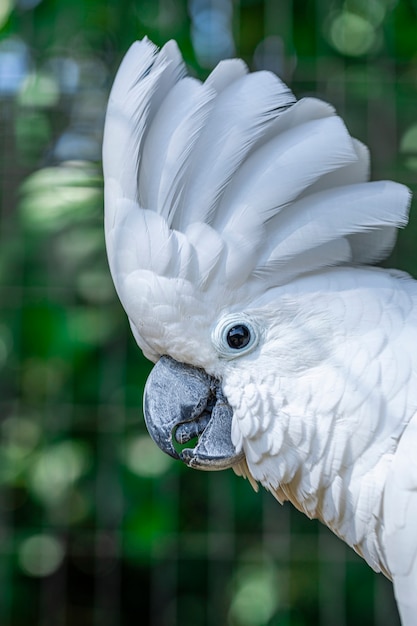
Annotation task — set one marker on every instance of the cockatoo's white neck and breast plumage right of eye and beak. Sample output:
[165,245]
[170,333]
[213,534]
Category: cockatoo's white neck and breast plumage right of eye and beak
[336,378]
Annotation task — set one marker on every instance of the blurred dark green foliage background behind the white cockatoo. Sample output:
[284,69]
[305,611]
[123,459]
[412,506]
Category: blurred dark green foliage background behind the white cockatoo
[97,526]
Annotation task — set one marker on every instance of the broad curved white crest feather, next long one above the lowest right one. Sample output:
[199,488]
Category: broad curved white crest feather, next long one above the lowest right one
[299,156]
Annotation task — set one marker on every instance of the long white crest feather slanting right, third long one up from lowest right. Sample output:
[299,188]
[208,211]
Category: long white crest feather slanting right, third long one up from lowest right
[240,116]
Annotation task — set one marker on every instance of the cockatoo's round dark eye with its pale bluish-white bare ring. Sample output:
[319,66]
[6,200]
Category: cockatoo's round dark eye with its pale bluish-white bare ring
[234,335]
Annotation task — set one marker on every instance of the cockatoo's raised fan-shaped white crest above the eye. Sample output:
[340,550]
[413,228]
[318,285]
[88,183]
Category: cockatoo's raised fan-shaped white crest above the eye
[231,185]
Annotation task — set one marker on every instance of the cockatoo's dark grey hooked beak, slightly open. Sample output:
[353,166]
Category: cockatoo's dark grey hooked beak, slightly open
[182,402]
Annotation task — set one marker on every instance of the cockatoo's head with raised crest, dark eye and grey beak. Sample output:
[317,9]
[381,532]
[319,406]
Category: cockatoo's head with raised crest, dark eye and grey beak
[228,203]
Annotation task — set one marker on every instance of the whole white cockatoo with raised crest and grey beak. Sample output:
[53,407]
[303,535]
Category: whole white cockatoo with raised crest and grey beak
[241,229]
